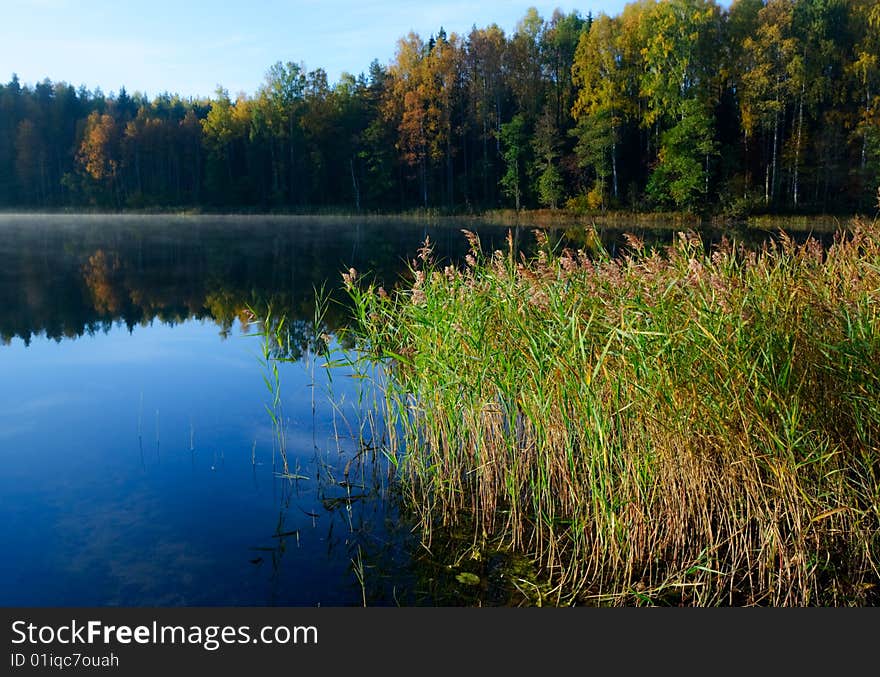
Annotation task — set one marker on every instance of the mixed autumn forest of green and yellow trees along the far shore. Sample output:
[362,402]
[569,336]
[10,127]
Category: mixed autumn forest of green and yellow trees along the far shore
[684,105]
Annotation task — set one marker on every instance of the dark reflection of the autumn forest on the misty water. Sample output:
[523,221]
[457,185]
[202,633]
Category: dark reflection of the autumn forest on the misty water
[67,276]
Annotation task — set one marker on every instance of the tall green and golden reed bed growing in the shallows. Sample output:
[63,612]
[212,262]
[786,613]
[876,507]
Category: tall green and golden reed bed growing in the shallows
[671,426]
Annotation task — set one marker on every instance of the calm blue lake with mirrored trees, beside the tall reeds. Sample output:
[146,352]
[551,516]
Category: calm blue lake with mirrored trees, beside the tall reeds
[139,431]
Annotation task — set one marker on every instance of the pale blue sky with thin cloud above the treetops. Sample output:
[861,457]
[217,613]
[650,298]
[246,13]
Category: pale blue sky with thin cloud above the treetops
[189,47]
